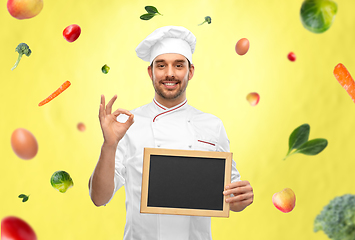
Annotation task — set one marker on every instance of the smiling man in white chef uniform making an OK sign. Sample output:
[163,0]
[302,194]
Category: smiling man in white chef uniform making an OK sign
[167,122]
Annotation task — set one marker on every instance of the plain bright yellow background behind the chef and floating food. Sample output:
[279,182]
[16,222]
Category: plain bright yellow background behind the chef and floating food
[292,93]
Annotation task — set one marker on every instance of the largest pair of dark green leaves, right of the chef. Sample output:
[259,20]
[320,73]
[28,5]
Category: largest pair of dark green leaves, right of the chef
[299,141]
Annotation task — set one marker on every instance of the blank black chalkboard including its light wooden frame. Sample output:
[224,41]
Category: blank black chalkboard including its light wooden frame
[185,182]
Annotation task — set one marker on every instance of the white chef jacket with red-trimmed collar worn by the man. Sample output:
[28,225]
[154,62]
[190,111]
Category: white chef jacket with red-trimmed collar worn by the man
[156,126]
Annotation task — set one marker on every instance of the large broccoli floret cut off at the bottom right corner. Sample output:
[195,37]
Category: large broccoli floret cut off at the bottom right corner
[337,219]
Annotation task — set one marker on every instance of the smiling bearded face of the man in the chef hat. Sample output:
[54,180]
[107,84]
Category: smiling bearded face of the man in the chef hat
[170,74]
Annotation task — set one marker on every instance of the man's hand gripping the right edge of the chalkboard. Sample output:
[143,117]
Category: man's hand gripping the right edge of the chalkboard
[243,195]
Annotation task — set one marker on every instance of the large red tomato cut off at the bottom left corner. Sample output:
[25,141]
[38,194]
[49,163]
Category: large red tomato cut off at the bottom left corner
[14,228]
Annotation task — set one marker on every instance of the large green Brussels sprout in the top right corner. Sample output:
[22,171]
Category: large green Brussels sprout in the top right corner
[318,15]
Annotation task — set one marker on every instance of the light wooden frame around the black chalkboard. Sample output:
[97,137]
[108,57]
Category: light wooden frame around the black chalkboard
[226,156]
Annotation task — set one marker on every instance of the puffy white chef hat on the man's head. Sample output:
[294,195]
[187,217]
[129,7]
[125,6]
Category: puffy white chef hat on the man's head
[169,39]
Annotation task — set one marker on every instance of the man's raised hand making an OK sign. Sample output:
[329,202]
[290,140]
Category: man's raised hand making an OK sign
[113,130]
